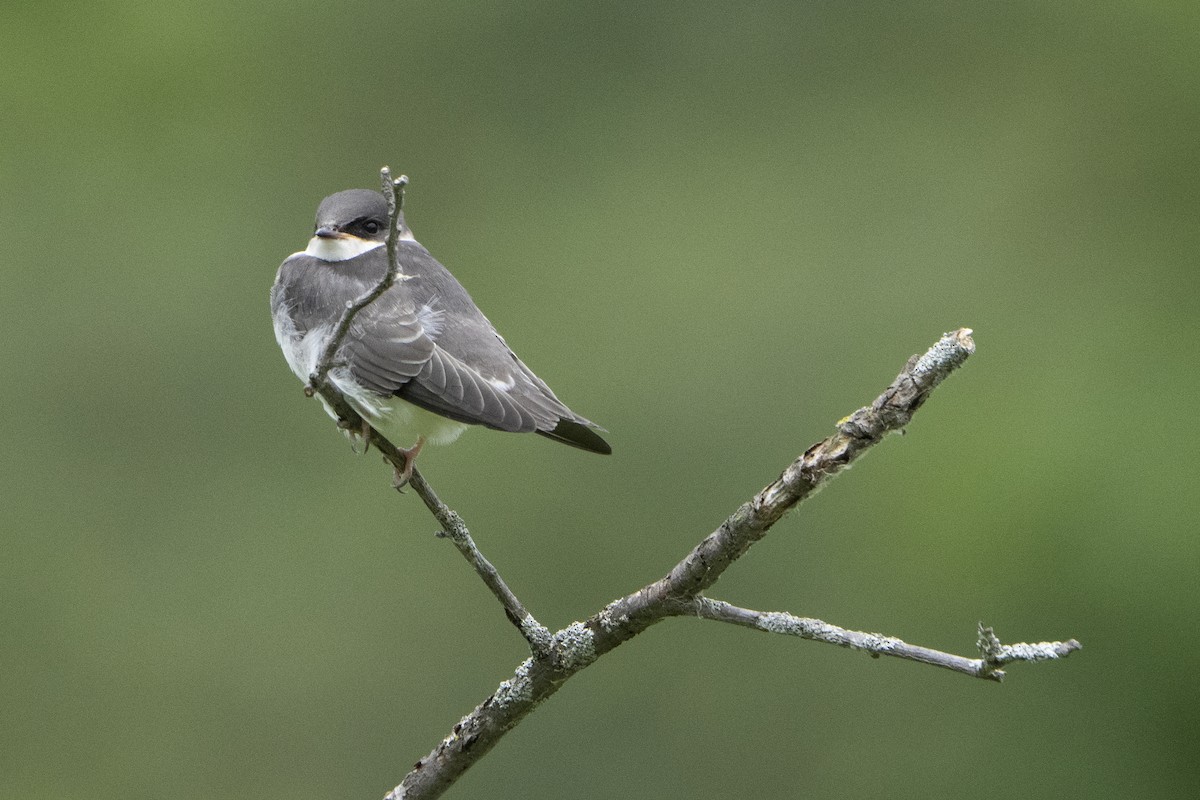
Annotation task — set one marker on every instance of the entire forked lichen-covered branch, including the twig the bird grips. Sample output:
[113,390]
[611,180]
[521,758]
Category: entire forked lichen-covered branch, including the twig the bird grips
[559,657]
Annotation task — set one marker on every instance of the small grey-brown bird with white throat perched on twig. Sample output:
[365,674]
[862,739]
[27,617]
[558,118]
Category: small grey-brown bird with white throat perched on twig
[422,360]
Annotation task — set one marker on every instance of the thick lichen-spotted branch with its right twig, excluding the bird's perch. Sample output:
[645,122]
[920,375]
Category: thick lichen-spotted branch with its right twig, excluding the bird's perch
[581,643]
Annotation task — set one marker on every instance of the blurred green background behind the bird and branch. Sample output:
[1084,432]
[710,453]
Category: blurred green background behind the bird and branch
[716,231]
